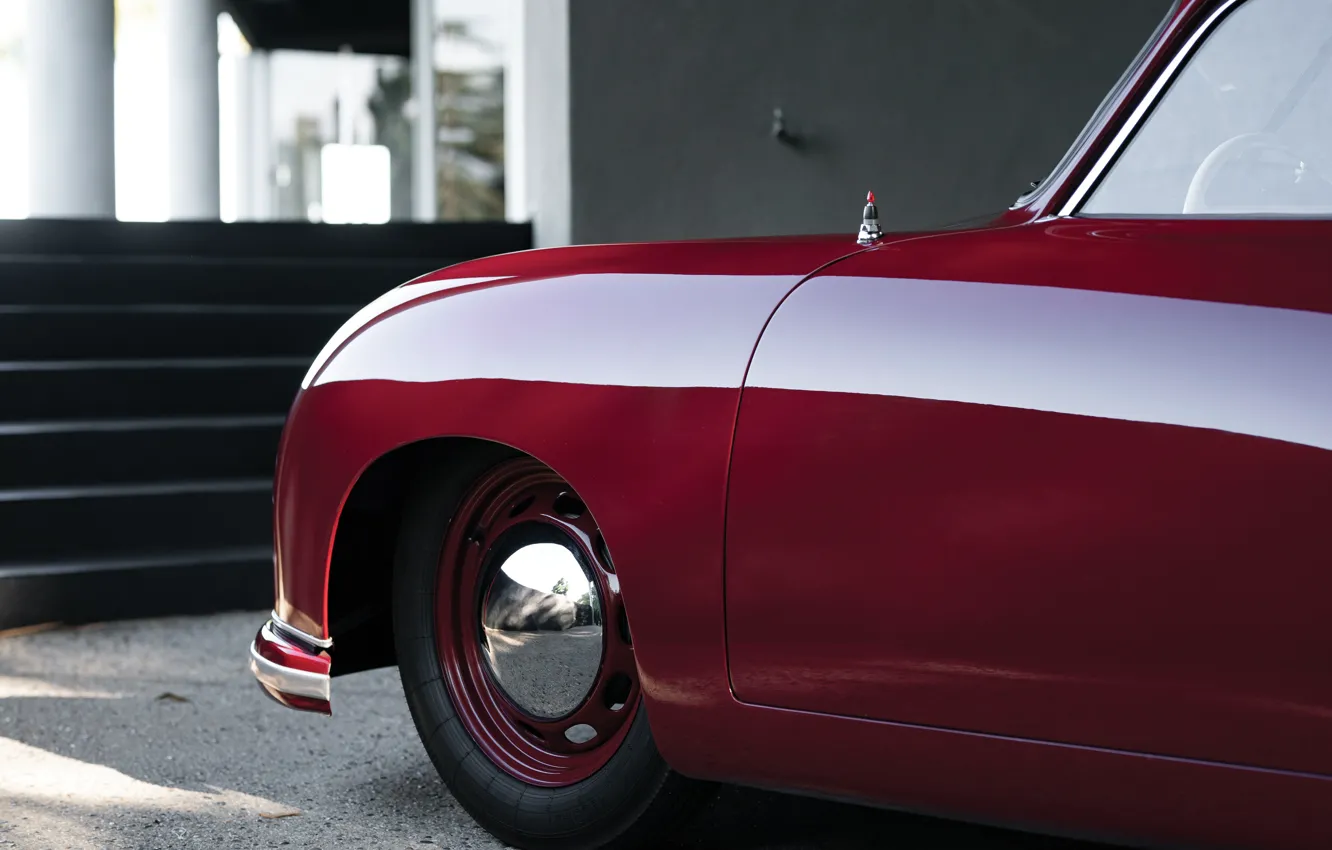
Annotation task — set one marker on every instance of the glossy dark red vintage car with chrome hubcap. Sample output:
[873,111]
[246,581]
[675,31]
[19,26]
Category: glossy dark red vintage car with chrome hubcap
[1026,524]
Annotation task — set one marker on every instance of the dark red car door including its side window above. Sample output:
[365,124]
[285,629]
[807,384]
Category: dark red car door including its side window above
[1070,480]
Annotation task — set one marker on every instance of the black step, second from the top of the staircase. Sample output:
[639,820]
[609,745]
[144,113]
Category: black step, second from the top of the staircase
[74,280]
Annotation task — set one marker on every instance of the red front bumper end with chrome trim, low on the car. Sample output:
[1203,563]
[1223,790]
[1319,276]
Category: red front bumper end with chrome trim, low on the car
[292,667]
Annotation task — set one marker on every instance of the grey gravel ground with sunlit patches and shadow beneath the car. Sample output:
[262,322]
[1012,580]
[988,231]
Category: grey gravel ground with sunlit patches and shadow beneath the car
[153,735]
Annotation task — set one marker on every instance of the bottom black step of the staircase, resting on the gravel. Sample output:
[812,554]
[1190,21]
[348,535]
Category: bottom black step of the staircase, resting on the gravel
[157,586]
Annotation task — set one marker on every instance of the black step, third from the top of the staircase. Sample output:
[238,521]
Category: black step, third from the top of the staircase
[38,334]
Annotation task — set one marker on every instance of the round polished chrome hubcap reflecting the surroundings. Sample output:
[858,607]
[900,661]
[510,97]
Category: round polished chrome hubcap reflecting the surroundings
[543,628]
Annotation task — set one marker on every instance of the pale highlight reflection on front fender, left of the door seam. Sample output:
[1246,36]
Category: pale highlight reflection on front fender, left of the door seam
[601,330]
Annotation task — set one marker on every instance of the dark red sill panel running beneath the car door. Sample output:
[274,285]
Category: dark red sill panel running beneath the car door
[1132,799]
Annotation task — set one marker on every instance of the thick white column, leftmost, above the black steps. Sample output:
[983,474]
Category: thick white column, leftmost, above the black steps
[71,114]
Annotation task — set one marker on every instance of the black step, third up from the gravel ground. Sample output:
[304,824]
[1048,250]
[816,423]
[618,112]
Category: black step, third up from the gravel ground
[49,455]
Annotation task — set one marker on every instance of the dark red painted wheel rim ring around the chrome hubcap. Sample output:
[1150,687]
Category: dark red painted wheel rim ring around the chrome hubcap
[520,494]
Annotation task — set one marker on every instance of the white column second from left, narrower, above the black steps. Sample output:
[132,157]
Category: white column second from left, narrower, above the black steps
[192,109]
